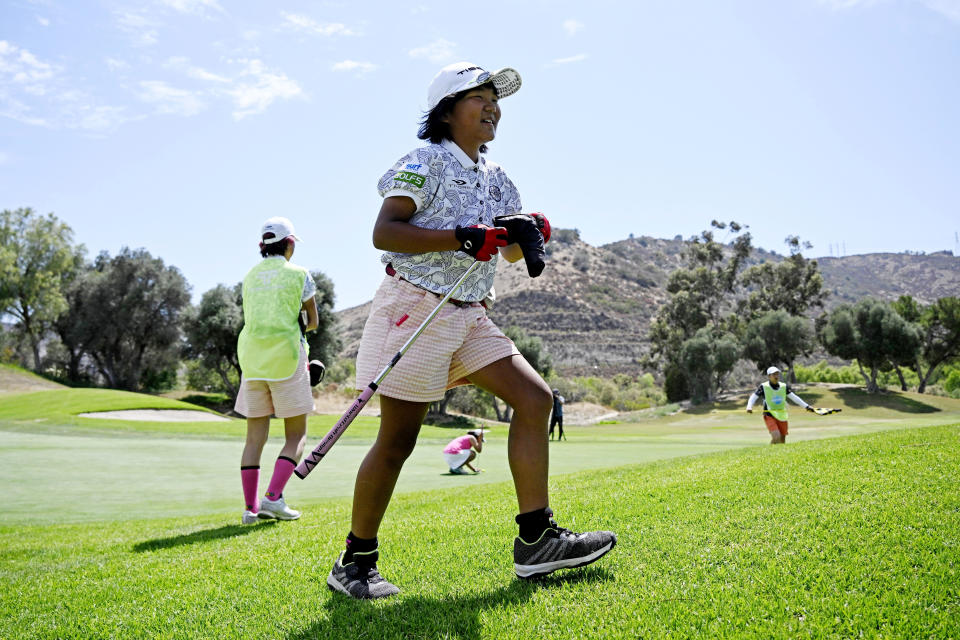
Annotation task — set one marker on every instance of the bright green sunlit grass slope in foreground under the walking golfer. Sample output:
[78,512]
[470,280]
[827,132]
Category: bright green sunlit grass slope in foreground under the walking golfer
[833,538]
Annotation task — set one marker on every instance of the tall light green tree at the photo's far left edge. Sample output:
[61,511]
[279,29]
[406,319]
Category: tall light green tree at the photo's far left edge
[36,254]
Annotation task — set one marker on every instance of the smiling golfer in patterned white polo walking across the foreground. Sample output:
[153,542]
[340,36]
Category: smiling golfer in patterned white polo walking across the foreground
[445,207]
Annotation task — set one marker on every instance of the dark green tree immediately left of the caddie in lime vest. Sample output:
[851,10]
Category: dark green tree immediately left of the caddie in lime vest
[211,330]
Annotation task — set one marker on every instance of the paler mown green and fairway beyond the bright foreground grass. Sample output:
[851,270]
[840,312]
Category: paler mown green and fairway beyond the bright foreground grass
[83,469]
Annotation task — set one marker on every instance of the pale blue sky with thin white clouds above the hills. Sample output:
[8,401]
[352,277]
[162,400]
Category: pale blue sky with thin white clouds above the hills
[179,125]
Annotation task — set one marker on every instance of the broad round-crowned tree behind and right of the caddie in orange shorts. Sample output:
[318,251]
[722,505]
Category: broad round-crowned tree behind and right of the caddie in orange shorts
[872,333]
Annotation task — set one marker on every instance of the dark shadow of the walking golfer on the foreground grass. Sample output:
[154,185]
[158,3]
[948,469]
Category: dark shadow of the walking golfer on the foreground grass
[453,616]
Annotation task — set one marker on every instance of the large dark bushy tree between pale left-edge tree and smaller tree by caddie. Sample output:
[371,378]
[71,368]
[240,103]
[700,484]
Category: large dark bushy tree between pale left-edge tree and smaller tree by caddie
[138,315]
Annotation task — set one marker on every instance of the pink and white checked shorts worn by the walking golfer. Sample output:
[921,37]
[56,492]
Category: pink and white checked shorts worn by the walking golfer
[458,342]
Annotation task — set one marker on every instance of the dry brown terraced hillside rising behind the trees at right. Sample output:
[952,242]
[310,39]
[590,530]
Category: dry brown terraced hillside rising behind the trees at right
[593,305]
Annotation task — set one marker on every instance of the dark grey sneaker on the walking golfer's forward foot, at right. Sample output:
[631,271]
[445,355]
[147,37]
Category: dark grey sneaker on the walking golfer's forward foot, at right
[560,548]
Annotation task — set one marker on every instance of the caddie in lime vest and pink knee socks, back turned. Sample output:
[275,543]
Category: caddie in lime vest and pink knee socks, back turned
[273,359]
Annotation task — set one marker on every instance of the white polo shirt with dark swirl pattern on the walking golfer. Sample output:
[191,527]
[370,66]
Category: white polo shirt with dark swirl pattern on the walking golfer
[449,190]
